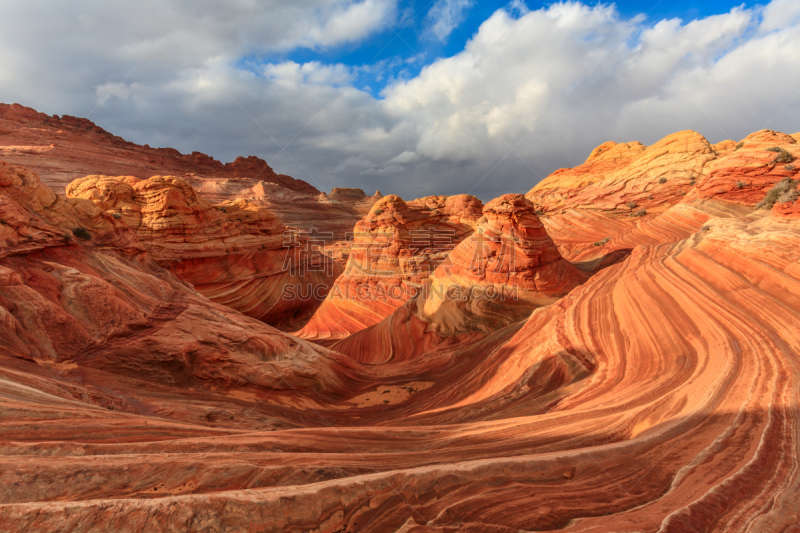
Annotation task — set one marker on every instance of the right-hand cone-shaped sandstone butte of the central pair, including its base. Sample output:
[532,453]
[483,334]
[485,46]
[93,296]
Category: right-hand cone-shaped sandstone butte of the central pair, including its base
[508,267]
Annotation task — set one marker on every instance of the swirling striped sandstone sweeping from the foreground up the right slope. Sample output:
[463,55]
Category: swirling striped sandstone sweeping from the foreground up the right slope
[657,396]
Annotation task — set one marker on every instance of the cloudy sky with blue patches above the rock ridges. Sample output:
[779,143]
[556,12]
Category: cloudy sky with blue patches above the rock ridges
[410,97]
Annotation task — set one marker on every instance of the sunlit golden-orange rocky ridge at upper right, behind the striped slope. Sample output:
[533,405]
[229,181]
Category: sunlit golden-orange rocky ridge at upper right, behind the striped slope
[590,221]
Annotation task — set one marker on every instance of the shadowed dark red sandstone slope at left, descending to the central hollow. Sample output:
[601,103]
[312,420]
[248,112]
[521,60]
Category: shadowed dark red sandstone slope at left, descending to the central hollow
[94,319]
